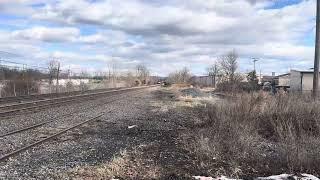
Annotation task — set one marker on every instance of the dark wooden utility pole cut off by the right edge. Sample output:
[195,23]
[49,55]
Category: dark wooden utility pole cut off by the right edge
[316,55]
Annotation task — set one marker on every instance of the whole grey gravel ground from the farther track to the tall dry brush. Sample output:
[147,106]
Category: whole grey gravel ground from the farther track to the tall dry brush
[162,125]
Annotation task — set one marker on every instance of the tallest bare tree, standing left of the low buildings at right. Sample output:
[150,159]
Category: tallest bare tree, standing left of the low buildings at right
[229,65]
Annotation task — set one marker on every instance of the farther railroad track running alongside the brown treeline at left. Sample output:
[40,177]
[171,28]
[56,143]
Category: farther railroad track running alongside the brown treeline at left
[34,106]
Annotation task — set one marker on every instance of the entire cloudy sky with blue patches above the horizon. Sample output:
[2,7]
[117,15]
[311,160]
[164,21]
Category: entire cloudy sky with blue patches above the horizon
[164,35]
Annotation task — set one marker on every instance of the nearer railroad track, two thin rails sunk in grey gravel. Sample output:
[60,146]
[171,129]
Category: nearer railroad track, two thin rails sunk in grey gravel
[55,134]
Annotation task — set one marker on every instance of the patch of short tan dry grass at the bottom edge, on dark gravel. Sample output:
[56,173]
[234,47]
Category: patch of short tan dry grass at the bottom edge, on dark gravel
[127,165]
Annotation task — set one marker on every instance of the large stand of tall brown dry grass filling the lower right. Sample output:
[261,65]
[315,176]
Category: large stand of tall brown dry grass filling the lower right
[259,134]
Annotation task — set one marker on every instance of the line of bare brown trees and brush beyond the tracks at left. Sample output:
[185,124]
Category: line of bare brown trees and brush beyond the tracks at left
[18,82]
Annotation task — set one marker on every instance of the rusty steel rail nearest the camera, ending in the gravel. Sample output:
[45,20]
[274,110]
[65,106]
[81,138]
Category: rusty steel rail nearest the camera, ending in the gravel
[20,150]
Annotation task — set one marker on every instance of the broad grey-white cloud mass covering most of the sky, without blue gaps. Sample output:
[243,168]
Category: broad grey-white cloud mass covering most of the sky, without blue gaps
[166,33]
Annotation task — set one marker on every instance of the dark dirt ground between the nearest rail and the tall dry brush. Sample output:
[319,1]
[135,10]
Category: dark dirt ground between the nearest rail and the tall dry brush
[139,137]
